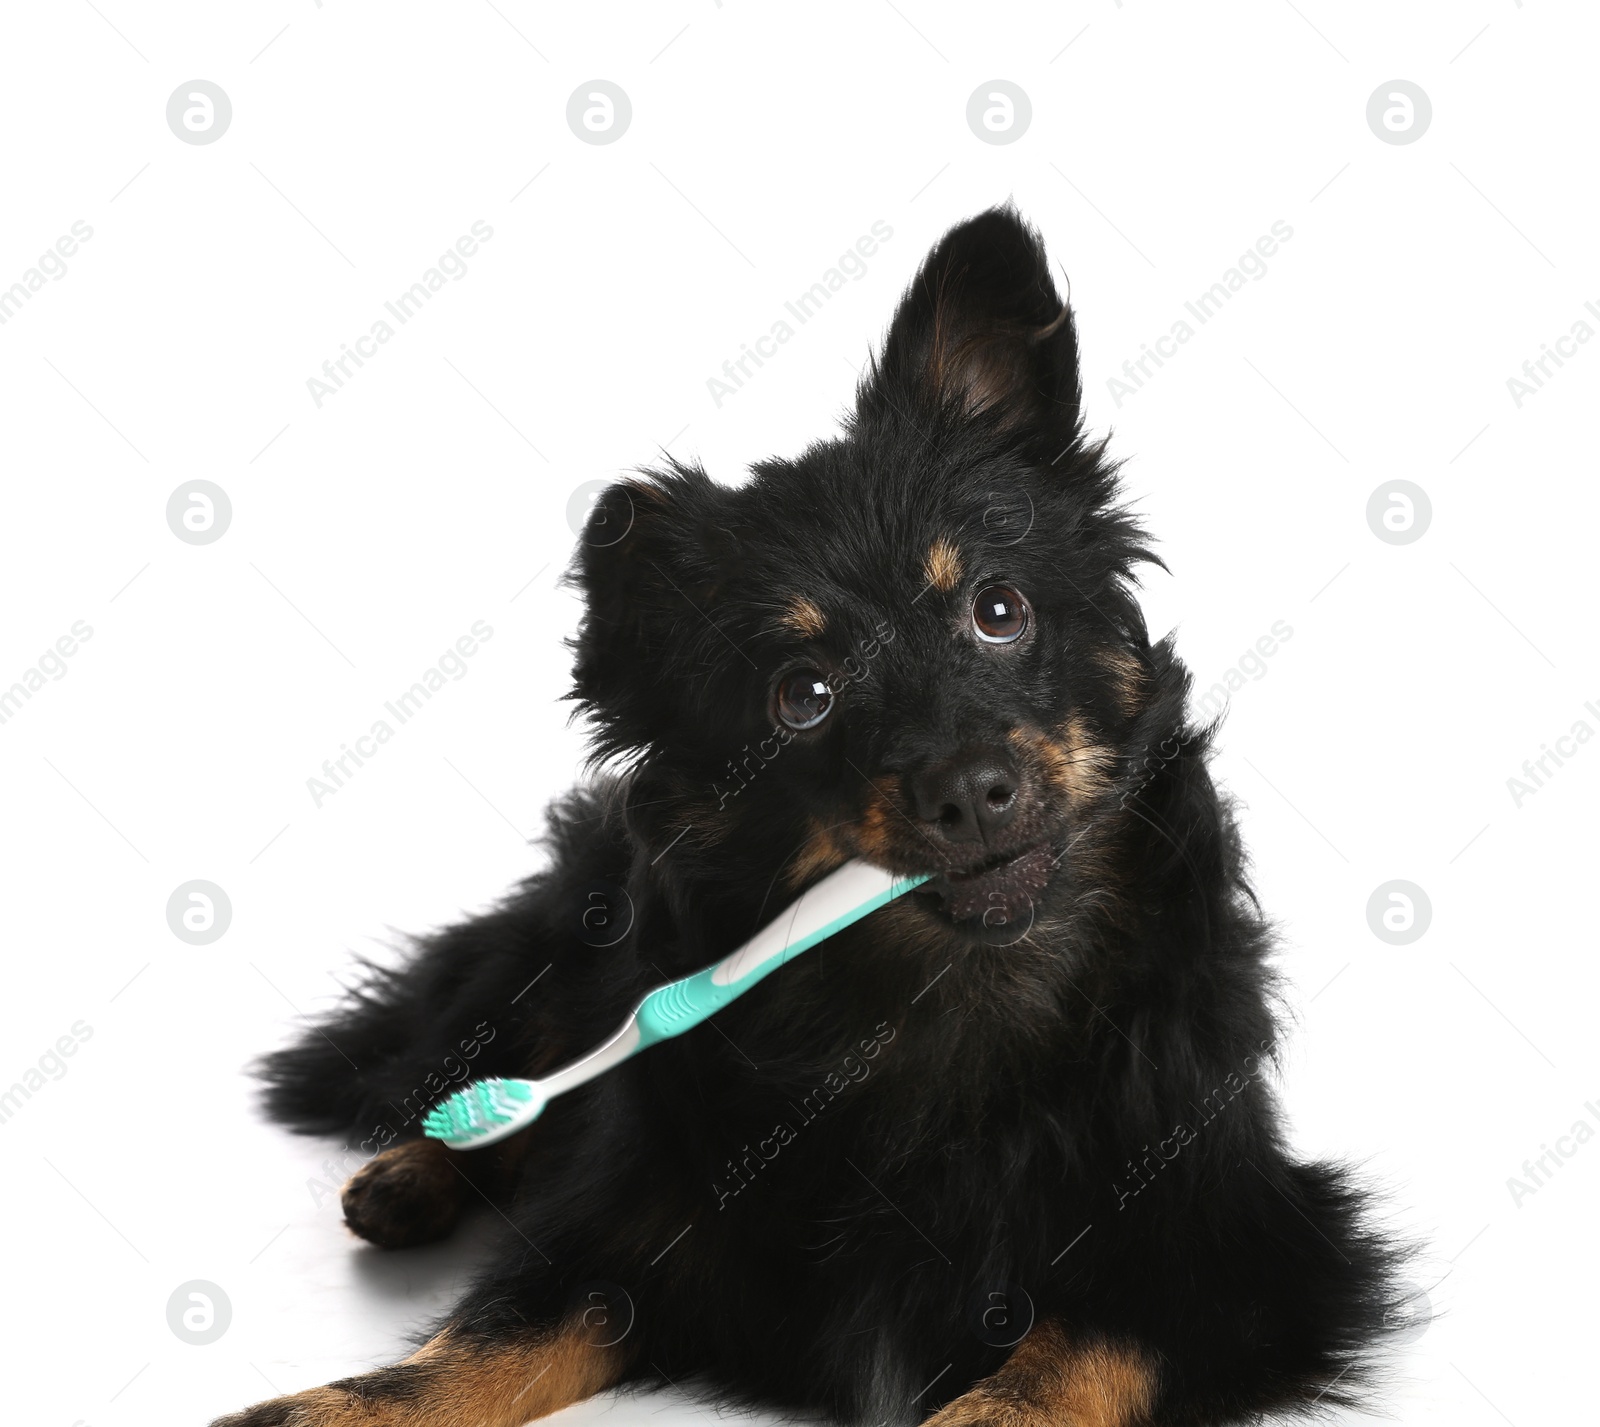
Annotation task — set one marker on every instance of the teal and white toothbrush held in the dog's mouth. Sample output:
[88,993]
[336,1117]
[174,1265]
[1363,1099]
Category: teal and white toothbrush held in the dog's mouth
[489,1111]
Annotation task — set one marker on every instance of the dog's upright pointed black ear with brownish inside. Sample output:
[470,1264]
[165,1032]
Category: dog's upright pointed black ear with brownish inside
[982,330]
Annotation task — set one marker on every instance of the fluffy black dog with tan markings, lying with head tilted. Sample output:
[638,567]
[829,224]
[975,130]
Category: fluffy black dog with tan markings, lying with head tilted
[1006,1149]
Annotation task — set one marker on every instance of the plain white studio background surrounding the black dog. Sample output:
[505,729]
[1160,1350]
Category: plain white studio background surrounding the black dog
[433,490]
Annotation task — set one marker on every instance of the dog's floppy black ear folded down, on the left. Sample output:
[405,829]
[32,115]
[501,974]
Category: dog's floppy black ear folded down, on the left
[650,564]
